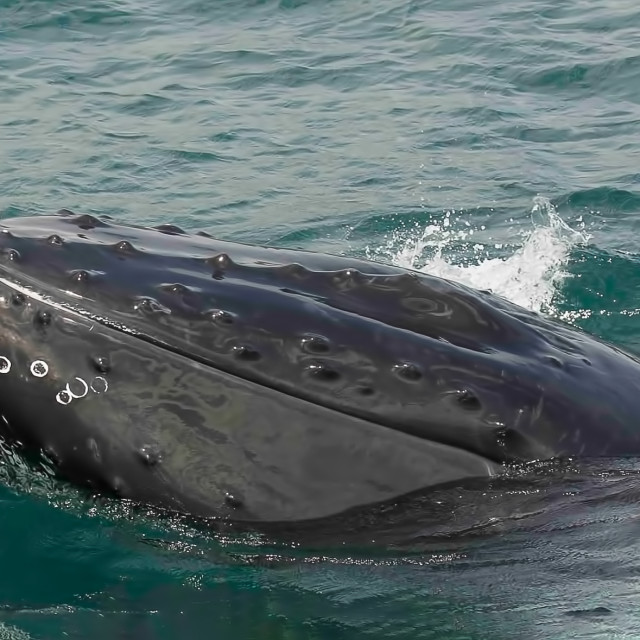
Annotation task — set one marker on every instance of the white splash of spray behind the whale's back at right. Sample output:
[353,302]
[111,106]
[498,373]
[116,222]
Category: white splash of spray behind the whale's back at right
[529,276]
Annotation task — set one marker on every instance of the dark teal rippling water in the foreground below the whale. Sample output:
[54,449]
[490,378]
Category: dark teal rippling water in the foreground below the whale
[545,551]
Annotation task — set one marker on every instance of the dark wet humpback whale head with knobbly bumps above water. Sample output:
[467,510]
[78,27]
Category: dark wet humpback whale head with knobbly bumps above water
[264,384]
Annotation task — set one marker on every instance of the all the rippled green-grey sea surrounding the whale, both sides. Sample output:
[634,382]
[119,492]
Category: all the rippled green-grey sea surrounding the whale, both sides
[495,143]
